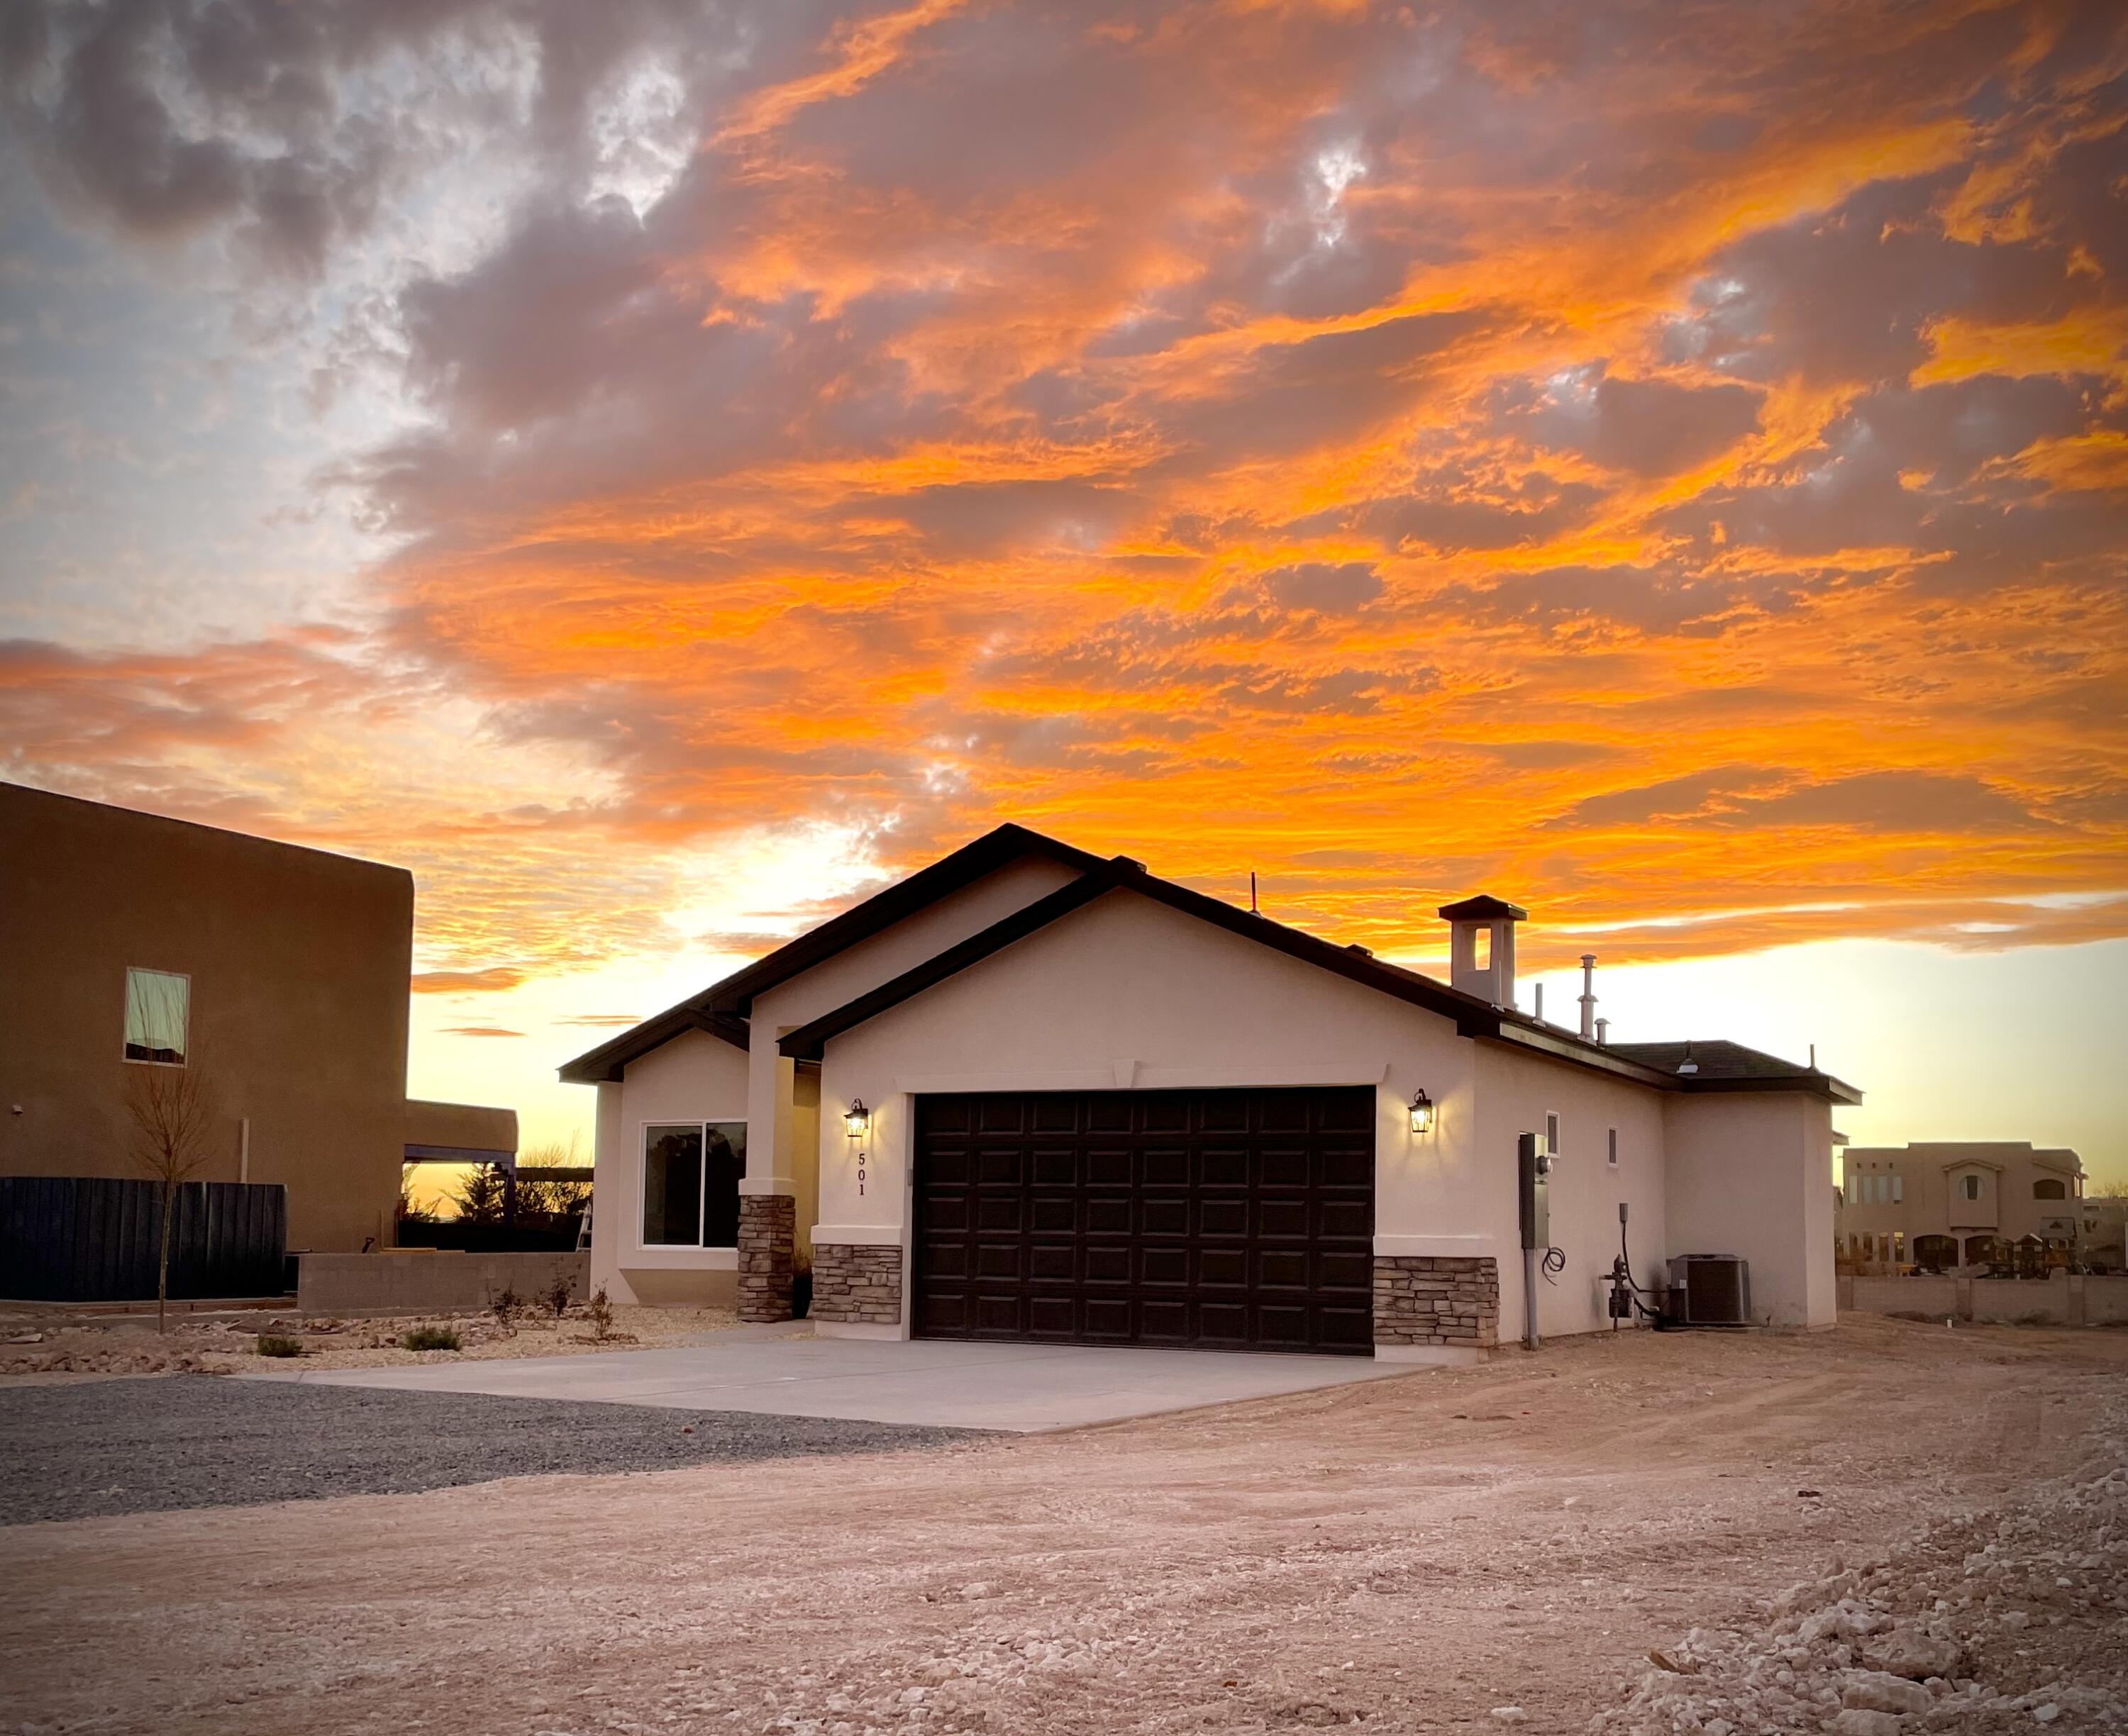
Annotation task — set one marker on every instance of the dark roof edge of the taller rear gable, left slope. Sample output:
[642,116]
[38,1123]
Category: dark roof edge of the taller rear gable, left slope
[722,1009]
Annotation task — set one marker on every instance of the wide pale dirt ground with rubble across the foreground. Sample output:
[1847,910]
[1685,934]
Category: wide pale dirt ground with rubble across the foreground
[1495,1548]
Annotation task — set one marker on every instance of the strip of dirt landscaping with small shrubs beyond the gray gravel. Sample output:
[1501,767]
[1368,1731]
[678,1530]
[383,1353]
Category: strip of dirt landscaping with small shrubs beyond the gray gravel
[35,1346]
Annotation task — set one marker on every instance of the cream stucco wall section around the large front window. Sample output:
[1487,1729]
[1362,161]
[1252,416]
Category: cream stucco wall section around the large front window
[695,1078]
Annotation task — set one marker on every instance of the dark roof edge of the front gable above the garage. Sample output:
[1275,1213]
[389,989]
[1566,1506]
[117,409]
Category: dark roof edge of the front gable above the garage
[1735,1071]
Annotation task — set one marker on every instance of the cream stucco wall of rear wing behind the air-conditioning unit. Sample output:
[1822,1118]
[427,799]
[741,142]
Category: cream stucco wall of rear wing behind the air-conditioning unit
[1752,1175]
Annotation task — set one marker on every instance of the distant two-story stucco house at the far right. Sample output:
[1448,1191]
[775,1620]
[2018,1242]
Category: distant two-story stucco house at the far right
[1959,1205]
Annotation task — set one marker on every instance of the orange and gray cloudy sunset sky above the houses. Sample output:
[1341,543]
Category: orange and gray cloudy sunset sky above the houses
[663,469]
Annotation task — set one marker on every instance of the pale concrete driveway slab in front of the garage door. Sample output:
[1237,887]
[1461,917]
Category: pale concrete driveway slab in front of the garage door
[1018,1388]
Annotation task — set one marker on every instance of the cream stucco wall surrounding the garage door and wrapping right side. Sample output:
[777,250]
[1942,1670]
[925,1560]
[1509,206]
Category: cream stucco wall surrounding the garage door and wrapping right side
[1133,995]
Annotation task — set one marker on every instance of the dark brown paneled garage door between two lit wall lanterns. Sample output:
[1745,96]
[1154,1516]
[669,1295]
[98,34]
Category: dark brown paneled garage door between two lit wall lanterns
[1216,1220]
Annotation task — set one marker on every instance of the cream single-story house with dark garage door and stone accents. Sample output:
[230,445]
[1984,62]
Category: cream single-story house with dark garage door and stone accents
[1037,1095]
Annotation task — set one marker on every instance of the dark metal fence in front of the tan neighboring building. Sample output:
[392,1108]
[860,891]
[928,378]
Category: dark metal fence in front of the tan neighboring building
[97,1239]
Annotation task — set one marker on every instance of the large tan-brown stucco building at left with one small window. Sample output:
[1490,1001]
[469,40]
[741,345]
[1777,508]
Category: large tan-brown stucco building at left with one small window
[280,973]
